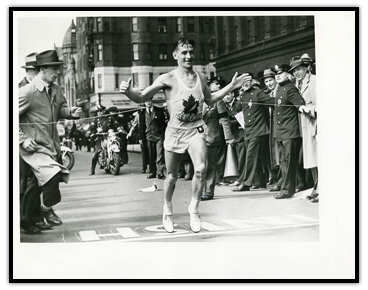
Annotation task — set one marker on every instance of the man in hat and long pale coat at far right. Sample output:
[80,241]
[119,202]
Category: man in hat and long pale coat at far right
[306,84]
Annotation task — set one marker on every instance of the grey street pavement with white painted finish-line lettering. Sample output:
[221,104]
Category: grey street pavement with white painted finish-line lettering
[107,208]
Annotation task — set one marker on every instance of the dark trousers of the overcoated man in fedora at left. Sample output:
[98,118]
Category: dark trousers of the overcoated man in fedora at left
[30,204]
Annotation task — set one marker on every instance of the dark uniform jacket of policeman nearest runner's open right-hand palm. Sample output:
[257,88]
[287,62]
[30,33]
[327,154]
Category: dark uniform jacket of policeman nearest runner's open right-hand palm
[256,116]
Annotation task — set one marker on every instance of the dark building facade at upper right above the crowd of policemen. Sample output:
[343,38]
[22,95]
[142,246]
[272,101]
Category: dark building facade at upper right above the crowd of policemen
[254,43]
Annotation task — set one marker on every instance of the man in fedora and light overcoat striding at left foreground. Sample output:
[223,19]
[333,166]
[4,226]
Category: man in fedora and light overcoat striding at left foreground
[41,105]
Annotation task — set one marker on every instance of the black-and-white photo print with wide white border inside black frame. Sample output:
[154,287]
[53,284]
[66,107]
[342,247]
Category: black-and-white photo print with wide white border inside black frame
[168,130]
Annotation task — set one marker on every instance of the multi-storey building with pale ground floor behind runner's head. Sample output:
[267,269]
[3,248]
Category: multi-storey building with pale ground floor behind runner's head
[113,49]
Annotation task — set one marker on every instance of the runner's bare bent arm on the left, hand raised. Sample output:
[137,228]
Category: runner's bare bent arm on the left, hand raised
[147,93]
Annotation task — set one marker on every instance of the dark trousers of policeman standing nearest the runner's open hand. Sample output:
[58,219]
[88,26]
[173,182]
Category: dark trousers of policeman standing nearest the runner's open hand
[254,156]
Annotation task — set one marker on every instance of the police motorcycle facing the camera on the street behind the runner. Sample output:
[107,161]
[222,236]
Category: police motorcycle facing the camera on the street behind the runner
[109,156]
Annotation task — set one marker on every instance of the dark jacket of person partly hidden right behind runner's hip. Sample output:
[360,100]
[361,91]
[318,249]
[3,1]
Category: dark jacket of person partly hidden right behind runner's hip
[212,116]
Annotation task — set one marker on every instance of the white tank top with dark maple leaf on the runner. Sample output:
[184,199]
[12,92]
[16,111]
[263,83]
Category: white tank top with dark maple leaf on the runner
[186,107]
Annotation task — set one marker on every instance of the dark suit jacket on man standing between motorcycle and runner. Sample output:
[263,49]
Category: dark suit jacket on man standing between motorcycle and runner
[153,126]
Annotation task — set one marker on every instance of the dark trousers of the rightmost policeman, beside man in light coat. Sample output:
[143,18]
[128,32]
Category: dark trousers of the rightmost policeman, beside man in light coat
[288,151]
